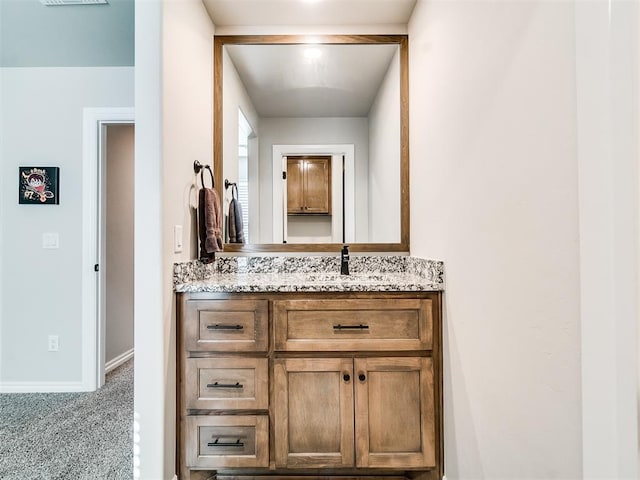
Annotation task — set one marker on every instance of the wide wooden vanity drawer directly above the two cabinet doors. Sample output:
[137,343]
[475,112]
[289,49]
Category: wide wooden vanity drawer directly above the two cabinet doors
[353,325]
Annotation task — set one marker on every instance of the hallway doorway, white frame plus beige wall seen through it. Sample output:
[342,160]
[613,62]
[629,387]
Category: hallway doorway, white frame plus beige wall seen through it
[108,132]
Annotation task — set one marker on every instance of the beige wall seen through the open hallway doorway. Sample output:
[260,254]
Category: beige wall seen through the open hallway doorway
[119,241]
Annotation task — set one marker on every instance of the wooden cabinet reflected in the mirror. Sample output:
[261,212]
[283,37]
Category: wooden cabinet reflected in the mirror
[309,185]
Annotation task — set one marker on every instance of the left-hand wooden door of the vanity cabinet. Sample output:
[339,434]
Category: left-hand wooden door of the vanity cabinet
[313,411]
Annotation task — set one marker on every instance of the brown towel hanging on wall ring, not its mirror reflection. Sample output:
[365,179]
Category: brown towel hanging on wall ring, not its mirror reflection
[209,223]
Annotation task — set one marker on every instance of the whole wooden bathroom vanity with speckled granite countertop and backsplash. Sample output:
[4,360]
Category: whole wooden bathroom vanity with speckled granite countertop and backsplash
[285,368]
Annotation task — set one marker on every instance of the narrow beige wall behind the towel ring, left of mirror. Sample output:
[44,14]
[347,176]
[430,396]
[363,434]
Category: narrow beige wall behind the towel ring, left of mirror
[187,135]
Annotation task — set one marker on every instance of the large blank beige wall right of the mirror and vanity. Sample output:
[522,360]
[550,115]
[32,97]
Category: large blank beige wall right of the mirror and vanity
[494,195]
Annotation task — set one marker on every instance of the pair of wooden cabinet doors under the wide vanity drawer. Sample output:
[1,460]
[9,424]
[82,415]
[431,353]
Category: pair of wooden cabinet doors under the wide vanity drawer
[383,416]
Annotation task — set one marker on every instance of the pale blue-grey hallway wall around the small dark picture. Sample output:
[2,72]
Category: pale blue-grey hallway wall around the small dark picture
[42,126]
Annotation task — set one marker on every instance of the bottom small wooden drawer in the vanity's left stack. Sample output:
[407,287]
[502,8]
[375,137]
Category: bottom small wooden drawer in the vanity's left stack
[227,441]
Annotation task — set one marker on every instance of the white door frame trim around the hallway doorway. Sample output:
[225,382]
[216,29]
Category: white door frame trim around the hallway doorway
[93,322]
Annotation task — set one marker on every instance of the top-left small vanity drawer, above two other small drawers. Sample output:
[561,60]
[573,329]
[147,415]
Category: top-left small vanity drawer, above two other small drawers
[226,325]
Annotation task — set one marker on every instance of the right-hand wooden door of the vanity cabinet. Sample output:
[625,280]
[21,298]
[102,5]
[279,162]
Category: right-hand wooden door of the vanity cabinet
[395,420]
